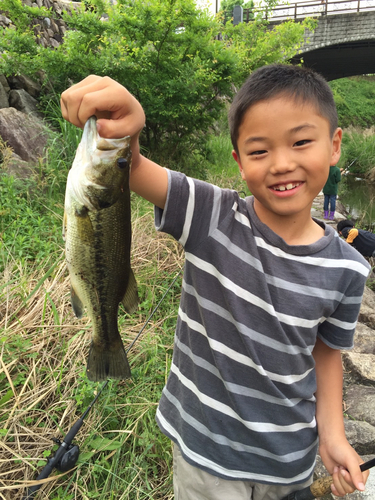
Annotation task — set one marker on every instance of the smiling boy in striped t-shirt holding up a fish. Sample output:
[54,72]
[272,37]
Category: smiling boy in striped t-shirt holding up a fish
[269,297]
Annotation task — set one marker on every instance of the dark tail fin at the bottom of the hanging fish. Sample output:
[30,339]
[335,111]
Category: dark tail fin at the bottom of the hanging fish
[107,362]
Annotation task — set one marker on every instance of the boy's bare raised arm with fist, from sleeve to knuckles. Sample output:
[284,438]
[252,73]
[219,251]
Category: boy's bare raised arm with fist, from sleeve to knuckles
[119,114]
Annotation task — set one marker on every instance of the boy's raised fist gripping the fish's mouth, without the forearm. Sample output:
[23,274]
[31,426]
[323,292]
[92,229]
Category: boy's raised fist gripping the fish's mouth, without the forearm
[119,113]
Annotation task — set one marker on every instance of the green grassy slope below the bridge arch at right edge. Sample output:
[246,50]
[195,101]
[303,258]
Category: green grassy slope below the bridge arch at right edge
[355,101]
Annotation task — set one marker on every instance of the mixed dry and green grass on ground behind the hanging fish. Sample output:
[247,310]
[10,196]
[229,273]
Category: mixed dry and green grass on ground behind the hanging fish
[44,389]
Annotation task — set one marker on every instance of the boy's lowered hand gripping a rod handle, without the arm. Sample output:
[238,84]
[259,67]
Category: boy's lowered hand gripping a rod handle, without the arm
[347,477]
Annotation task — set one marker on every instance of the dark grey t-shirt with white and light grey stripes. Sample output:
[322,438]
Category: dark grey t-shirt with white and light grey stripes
[239,400]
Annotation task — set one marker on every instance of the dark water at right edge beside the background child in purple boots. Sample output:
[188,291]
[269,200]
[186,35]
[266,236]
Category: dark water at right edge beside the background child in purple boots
[358,197]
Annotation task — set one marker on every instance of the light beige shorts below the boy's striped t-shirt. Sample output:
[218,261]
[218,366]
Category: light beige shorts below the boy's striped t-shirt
[191,483]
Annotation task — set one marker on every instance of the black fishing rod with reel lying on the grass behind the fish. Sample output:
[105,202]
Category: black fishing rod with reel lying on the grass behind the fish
[66,456]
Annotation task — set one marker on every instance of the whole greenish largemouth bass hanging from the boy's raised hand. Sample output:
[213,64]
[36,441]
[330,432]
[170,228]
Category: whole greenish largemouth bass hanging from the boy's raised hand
[97,234]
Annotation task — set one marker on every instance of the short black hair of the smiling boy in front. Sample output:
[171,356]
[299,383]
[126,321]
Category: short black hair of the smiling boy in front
[274,80]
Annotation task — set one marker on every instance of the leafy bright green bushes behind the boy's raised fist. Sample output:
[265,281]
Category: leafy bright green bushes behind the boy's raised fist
[167,53]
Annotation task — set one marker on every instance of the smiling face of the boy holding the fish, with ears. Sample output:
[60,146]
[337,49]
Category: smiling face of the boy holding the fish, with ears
[285,151]
